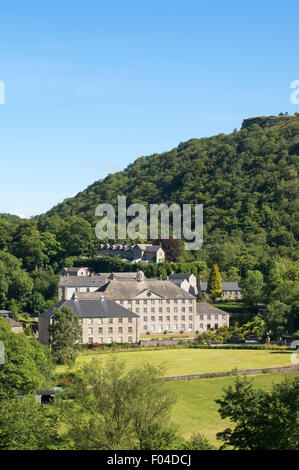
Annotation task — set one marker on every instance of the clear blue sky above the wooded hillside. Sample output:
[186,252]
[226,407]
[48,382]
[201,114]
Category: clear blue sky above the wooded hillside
[91,86]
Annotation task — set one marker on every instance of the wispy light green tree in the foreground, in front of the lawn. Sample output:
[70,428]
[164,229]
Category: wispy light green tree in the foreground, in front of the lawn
[113,408]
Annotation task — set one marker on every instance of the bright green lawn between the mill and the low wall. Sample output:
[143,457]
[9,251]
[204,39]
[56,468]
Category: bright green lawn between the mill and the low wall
[193,361]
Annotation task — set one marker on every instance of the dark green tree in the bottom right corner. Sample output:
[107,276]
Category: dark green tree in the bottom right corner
[262,420]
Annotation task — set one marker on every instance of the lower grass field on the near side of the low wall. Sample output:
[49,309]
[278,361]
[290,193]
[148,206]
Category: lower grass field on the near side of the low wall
[196,410]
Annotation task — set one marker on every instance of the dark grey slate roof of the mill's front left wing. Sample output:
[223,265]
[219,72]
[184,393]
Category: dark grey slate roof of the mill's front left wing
[100,308]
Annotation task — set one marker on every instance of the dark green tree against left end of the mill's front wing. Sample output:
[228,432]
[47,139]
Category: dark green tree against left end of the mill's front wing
[64,331]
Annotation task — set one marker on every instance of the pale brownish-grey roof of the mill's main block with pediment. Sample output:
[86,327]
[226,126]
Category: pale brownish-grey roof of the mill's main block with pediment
[127,290]
